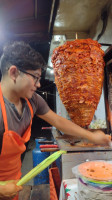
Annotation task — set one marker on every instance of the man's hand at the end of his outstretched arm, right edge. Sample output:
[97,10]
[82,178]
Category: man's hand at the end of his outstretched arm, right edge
[98,137]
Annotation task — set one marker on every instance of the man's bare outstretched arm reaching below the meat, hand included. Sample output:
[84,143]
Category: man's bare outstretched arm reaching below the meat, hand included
[72,129]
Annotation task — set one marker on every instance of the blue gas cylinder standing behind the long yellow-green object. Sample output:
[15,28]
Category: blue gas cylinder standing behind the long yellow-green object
[38,157]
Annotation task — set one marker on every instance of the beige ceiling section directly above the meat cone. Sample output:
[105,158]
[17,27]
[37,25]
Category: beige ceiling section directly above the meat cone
[78,16]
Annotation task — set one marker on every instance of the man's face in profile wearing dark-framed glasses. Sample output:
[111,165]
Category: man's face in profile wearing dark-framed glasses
[28,82]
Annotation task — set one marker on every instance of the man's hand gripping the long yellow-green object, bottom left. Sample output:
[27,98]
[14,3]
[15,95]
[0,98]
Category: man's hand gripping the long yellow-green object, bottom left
[9,191]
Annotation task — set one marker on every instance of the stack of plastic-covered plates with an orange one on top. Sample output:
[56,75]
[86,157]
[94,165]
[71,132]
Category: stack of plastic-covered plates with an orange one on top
[88,186]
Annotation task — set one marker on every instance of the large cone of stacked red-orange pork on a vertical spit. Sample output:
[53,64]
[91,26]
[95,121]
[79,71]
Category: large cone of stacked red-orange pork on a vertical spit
[79,73]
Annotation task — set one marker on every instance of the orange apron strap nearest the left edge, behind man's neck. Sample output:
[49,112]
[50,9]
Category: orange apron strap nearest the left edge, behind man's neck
[3,109]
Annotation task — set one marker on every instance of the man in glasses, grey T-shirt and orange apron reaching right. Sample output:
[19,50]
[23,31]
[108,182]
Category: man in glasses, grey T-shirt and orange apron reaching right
[21,69]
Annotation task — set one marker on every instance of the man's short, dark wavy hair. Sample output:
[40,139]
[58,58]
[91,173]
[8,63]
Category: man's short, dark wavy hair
[22,55]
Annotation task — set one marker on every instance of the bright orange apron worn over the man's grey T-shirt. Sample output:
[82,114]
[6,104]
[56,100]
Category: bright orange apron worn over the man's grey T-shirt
[13,145]
